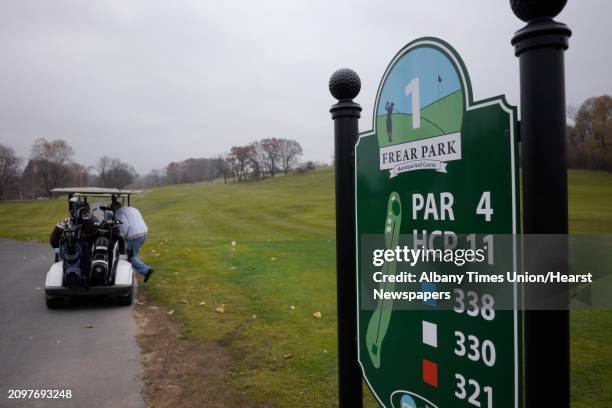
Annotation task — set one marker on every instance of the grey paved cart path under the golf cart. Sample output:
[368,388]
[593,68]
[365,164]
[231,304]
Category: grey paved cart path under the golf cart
[54,349]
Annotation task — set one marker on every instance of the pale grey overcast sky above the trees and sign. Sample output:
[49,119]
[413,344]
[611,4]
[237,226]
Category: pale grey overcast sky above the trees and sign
[151,81]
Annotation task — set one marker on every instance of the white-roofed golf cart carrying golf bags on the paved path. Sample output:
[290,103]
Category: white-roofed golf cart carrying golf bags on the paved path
[91,257]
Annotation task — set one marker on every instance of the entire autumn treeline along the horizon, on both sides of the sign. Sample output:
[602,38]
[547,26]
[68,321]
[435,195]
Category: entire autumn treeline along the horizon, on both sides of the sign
[51,163]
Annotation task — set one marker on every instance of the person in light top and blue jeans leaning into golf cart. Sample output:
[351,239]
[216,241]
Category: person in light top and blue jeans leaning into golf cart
[134,229]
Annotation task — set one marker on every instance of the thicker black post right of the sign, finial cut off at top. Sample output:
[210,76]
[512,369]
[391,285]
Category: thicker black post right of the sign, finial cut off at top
[540,47]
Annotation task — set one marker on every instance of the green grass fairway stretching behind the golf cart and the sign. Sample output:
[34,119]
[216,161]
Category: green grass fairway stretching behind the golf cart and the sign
[281,270]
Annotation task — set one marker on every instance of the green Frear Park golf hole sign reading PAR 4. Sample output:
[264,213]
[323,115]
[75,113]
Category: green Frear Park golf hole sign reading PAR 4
[437,166]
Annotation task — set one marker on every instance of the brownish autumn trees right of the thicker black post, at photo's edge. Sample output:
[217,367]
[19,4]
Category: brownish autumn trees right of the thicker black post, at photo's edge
[590,136]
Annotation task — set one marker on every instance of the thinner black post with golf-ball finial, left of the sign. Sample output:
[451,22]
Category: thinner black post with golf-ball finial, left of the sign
[345,85]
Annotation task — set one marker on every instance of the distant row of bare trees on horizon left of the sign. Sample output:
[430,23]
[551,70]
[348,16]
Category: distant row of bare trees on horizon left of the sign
[51,165]
